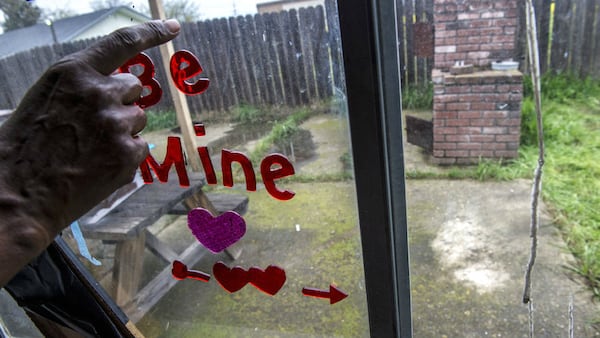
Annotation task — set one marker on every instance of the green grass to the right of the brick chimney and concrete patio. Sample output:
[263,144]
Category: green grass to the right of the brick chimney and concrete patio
[571,181]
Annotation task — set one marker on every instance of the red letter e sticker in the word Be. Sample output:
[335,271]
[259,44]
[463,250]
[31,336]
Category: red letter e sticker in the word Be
[191,69]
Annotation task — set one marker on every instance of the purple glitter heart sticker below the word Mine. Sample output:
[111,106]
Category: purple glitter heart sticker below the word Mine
[216,233]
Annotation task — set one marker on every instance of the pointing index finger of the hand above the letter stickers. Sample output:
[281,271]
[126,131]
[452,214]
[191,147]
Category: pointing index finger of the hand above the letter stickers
[121,45]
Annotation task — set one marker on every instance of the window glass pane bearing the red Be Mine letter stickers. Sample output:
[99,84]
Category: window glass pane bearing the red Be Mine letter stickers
[274,124]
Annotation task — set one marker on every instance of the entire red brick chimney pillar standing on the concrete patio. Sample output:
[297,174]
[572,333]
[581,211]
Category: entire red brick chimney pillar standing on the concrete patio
[475,115]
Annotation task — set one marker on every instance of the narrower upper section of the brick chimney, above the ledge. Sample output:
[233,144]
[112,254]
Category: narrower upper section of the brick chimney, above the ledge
[474,31]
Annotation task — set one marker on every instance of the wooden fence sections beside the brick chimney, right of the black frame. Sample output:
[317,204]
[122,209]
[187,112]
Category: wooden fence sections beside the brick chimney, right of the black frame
[568,32]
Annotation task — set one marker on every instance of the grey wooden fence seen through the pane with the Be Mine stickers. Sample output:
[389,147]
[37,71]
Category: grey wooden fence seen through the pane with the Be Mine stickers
[289,58]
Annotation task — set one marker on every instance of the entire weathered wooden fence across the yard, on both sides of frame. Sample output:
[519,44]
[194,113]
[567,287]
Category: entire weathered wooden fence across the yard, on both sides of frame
[294,58]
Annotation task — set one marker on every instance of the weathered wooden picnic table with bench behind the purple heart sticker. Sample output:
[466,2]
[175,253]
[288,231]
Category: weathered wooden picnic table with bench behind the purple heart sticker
[126,225]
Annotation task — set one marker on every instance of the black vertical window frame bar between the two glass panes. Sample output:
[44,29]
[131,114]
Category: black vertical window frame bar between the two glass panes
[372,71]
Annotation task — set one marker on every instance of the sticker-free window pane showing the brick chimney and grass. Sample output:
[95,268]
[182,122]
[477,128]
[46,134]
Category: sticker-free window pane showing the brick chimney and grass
[471,129]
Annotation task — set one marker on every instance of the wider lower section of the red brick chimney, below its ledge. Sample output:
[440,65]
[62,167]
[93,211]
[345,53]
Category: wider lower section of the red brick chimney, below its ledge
[476,116]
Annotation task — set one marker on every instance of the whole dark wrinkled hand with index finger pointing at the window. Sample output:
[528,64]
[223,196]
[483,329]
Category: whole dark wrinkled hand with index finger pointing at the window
[73,140]
